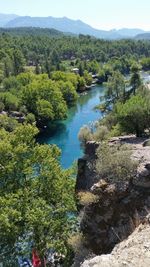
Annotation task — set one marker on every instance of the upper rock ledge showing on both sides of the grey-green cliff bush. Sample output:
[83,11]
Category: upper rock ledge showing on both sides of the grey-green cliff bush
[87,176]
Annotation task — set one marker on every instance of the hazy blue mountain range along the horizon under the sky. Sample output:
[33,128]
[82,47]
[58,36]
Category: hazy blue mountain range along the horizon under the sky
[67,25]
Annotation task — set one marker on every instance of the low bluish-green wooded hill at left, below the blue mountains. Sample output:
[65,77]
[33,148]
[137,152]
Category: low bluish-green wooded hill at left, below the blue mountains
[23,31]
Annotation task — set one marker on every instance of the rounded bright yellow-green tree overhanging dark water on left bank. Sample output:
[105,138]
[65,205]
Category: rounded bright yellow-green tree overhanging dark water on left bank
[43,95]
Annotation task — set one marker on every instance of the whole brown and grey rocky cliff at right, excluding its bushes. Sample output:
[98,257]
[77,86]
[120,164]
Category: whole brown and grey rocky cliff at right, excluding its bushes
[121,207]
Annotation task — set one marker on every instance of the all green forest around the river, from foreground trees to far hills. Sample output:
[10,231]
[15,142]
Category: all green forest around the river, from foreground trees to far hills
[41,74]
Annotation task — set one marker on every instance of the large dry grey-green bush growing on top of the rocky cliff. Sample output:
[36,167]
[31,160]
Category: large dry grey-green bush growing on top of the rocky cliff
[114,163]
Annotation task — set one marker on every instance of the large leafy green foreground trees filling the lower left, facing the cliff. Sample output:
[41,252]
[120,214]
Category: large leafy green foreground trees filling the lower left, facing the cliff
[36,195]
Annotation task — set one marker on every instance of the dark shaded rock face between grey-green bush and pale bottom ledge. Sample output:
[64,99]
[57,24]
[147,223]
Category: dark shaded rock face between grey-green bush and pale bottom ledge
[119,210]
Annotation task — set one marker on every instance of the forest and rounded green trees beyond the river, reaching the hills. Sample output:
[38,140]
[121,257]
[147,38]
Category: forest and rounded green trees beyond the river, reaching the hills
[37,70]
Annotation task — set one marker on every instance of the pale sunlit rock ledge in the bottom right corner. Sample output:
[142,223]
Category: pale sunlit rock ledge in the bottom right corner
[132,252]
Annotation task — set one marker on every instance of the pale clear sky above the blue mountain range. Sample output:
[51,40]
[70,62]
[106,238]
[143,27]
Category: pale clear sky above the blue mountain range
[101,14]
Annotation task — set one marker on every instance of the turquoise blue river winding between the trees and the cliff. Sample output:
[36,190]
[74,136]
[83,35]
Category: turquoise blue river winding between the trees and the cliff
[65,133]
